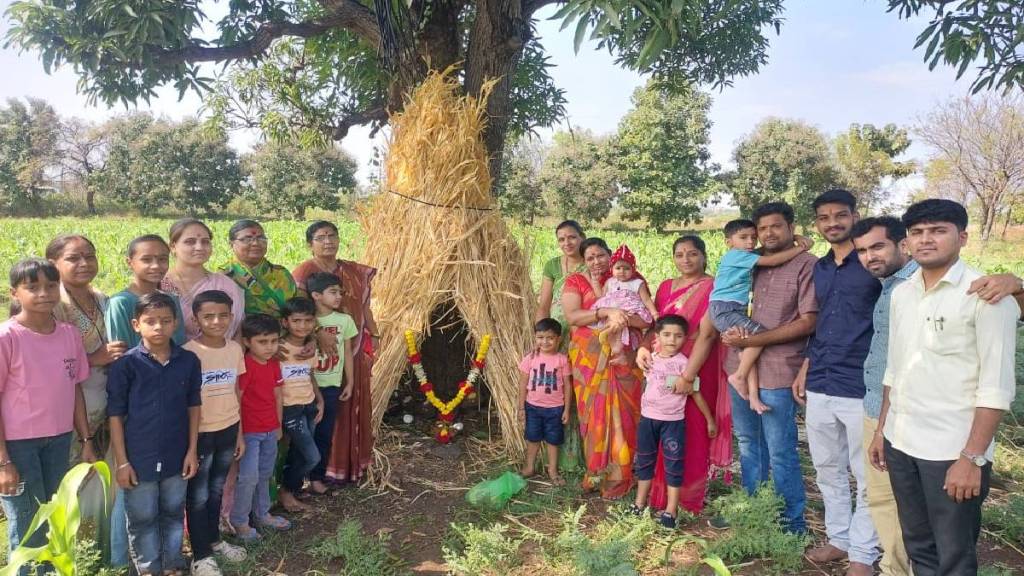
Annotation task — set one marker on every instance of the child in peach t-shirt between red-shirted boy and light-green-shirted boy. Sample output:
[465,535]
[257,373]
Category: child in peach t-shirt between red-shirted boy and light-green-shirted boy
[303,400]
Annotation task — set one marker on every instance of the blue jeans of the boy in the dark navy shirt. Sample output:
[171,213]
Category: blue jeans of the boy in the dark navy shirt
[156,524]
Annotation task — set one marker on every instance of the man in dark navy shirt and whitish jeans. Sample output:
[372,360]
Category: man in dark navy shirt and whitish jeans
[832,386]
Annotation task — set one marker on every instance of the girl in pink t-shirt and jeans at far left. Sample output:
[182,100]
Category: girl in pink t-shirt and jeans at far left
[42,365]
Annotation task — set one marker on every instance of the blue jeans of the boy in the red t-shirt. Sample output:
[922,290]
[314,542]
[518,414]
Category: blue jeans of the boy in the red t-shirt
[252,495]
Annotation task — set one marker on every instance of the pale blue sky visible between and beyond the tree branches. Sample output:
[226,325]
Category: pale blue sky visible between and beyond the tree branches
[836,62]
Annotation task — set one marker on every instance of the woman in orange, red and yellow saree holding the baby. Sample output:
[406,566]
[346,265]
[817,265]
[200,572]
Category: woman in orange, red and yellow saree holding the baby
[608,395]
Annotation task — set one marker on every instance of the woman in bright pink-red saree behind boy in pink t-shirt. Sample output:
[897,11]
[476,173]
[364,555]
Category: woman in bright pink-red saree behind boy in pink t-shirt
[689,297]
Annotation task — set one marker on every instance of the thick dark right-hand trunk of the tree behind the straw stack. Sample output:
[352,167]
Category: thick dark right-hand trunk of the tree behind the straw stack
[496,45]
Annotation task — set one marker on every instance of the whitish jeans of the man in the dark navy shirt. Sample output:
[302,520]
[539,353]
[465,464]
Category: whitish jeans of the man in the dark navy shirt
[835,435]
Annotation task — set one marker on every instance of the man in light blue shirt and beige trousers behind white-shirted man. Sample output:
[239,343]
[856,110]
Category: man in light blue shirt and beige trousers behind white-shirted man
[881,245]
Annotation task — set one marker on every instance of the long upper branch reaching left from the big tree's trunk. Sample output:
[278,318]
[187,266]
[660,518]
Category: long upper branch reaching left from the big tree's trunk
[348,15]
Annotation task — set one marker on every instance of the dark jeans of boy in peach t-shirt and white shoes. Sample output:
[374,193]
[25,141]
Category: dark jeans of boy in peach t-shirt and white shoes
[217,452]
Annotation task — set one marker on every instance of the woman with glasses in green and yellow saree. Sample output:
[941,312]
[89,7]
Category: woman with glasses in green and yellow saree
[267,286]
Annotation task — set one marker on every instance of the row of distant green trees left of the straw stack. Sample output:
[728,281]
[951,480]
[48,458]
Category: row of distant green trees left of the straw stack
[147,164]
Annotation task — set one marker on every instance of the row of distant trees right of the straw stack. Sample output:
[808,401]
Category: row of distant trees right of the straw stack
[656,169]
